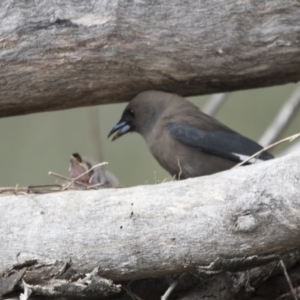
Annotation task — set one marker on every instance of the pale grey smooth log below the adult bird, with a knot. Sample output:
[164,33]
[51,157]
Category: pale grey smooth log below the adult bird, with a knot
[229,221]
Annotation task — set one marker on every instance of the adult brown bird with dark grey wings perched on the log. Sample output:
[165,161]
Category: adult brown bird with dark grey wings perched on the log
[185,141]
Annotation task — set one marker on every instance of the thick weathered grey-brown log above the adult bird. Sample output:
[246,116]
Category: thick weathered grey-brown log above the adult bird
[63,54]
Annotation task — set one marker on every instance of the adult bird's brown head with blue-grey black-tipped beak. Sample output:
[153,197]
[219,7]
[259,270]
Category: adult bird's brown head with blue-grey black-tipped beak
[140,115]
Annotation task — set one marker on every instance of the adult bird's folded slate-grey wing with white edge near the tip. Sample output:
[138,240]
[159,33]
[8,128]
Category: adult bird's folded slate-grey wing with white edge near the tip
[227,144]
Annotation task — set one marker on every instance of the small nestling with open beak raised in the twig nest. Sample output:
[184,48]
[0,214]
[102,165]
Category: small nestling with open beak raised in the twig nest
[81,169]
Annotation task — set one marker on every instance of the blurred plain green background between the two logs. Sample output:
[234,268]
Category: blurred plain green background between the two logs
[35,144]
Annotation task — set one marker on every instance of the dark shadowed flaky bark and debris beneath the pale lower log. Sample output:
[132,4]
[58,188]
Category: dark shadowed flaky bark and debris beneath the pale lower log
[262,283]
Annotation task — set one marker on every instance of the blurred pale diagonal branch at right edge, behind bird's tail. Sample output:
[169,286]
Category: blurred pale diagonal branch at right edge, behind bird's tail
[282,119]
